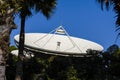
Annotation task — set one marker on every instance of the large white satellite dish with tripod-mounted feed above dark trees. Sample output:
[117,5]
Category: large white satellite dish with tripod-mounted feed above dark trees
[58,42]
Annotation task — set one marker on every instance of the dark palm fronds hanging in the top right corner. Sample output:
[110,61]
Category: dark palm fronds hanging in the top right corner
[116,8]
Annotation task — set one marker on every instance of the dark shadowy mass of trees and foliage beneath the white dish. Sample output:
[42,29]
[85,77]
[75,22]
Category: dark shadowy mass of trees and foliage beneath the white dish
[47,67]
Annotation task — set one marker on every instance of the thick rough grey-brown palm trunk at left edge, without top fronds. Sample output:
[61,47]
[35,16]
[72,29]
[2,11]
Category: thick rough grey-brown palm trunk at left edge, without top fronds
[6,26]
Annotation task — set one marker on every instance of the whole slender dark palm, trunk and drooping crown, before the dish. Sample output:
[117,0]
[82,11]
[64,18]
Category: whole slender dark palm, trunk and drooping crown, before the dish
[43,6]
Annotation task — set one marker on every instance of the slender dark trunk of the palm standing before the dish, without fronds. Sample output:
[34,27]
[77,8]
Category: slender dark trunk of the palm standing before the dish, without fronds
[19,70]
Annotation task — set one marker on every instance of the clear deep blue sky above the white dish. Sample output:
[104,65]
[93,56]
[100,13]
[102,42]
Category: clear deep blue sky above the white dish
[80,18]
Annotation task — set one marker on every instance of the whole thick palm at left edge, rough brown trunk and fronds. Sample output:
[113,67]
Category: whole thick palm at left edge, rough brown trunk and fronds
[6,25]
